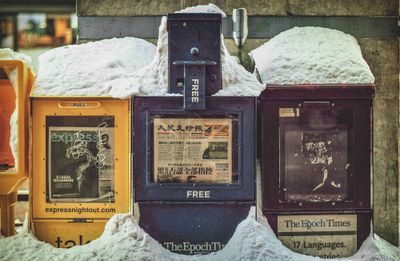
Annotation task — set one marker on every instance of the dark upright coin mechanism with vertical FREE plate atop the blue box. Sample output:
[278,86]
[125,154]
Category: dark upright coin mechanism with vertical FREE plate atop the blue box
[194,56]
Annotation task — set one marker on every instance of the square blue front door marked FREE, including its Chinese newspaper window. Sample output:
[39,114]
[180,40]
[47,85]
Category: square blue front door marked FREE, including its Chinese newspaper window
[185,150]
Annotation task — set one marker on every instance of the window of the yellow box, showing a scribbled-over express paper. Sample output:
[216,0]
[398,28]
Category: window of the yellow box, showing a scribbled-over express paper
[80,158]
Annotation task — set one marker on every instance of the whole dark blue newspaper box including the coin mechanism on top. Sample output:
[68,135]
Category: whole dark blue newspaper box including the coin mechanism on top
[194,155]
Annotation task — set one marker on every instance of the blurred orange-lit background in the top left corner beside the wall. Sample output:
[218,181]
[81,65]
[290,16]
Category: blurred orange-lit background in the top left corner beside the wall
[35,26]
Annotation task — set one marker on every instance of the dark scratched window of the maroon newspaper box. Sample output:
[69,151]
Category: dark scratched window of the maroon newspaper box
[314,154]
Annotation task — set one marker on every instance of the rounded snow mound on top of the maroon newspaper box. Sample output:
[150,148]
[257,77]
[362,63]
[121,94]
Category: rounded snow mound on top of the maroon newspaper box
[304,55]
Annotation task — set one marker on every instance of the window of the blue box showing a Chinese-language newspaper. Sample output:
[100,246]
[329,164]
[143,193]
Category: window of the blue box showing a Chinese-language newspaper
[194,150]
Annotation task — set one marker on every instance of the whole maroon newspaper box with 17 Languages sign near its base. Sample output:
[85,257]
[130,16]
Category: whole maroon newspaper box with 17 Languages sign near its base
[316,166]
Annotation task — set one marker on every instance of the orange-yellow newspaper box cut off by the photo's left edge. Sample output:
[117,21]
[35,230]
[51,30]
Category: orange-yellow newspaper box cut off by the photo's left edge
[15,85]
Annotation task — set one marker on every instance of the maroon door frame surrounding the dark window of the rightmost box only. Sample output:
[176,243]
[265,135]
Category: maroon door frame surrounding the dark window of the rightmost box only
[356,98]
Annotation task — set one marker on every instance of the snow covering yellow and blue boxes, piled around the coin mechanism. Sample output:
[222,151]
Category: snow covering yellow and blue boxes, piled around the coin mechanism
[110,67]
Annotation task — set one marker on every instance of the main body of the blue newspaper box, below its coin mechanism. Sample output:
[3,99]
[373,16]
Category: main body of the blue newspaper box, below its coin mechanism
[195,170]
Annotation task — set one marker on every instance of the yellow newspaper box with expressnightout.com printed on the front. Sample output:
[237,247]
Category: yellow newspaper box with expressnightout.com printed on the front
[80,166]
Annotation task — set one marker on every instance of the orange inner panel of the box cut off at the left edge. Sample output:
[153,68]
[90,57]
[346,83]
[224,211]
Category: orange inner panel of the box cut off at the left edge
[7,107]
